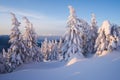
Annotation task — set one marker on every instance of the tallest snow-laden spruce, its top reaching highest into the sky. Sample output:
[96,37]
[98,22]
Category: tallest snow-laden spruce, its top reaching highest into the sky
[73,41]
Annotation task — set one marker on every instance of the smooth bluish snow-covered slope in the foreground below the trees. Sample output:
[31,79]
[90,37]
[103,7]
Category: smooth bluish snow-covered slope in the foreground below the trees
[106,67]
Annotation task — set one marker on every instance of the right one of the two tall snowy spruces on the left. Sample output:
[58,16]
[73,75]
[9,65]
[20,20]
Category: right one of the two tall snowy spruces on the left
[30,40]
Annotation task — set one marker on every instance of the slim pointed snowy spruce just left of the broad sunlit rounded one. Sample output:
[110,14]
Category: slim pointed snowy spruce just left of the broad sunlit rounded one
[92,35]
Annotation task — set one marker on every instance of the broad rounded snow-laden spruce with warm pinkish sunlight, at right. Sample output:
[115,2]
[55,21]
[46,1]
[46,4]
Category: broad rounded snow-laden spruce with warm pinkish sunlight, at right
[107,38]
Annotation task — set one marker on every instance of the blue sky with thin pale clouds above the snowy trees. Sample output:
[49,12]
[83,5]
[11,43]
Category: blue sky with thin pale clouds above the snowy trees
[49,16]
